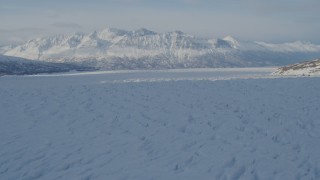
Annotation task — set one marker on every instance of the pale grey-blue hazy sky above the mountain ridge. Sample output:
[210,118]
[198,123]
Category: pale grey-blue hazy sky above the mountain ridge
[260,20]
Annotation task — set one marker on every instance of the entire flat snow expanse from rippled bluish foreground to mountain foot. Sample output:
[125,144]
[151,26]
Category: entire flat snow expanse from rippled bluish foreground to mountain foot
[181,124]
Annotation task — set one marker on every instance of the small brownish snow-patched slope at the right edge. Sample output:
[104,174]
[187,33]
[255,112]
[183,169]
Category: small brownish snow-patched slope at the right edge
[309,68]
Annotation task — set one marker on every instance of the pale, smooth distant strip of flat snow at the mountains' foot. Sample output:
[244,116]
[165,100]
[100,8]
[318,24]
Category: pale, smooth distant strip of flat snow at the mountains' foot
[168,75]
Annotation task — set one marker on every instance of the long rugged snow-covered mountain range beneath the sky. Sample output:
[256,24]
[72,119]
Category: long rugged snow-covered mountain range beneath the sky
[144,49]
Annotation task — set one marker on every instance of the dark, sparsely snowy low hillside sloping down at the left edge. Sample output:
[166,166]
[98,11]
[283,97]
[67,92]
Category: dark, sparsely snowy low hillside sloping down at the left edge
[14,65]
